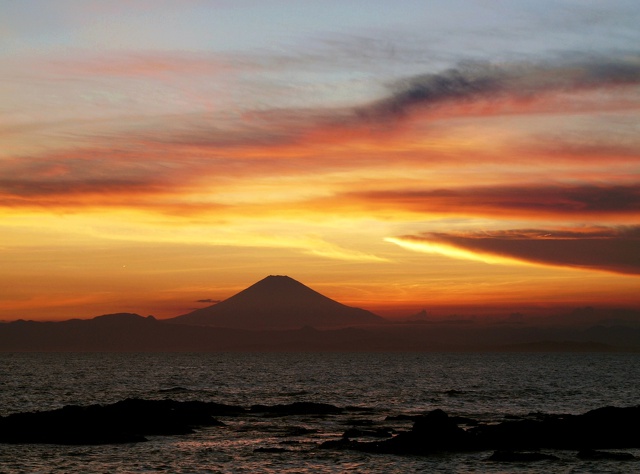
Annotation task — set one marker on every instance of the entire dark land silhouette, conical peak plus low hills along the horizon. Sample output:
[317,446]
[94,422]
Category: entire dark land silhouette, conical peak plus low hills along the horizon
[279,313]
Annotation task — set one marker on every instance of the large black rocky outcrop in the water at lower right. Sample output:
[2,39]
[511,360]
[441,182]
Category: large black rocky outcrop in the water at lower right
[607,427]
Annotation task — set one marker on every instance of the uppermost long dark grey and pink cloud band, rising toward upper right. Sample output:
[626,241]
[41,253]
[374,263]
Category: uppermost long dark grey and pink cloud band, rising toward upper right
[469,90]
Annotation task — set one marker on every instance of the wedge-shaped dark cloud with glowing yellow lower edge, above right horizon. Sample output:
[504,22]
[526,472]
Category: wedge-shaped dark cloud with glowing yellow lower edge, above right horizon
[609,249]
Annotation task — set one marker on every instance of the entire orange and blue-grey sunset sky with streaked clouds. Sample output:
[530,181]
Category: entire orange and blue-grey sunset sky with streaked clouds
[459,156]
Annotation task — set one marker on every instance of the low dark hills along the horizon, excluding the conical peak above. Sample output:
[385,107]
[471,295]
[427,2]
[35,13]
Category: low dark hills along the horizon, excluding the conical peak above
[134,333]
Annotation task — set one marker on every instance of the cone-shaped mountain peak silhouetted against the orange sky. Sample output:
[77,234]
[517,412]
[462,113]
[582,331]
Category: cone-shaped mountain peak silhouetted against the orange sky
[278,302]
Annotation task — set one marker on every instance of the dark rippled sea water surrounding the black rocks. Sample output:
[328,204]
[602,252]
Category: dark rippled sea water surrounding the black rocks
[484,386]
